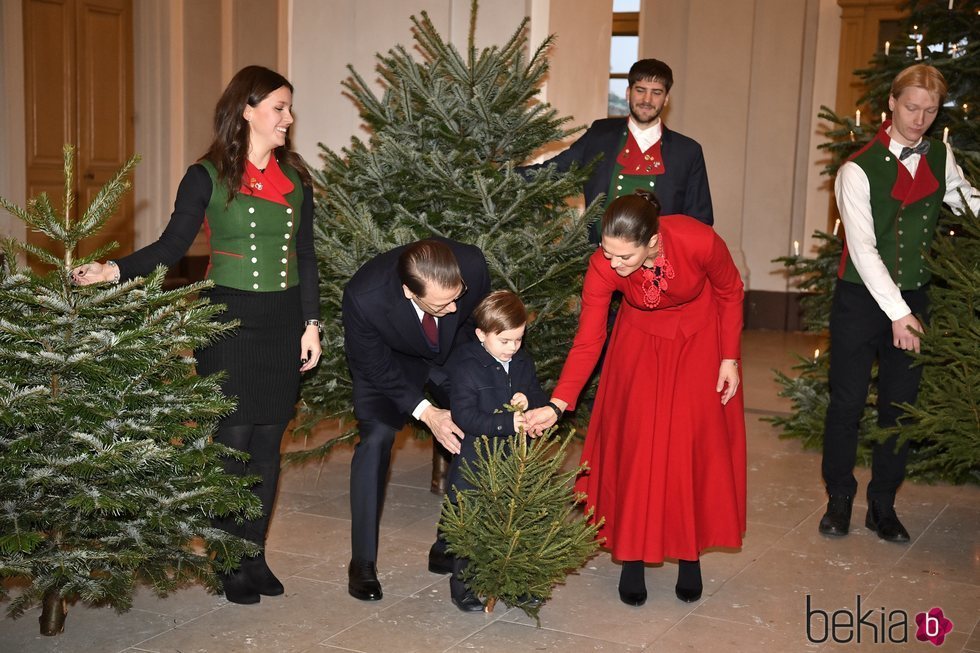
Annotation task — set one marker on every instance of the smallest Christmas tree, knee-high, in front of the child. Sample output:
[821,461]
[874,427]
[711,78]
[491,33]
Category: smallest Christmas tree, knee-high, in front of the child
[518,527]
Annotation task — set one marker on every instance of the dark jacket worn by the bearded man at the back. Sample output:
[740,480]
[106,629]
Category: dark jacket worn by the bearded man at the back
[683,188]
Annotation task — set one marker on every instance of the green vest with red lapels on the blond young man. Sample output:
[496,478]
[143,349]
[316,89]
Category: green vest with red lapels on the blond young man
[905,211]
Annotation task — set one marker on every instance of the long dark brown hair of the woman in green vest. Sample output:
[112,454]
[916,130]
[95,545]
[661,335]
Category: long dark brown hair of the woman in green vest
[229,149]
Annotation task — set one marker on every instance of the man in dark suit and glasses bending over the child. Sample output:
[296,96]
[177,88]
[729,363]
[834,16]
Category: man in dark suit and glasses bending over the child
[403,315]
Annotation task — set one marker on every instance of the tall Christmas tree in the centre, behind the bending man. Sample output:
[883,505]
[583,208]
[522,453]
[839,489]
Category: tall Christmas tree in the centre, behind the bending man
[445,134]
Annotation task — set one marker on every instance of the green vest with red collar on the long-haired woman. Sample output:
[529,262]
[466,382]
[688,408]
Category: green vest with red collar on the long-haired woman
[253,238]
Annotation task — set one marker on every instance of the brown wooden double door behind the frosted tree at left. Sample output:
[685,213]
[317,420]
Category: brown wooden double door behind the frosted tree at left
[78,89]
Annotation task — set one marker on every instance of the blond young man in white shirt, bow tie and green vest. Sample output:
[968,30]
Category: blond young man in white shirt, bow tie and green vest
[889,195]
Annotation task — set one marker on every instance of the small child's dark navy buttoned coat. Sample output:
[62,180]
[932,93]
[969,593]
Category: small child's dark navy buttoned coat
[480,387]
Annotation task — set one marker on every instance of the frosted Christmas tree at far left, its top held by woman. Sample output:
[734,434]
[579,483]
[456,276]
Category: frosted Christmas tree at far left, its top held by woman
[109,473]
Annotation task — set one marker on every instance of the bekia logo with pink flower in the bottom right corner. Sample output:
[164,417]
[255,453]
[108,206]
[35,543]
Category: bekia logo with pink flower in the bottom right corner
[873,625]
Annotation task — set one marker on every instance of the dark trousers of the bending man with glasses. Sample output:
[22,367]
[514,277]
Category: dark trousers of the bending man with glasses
[369,477]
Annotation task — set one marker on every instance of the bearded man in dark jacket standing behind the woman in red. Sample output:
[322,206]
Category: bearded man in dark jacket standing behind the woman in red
[639,151]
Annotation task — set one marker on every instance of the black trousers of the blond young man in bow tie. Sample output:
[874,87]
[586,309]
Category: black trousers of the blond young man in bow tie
[861,333]
